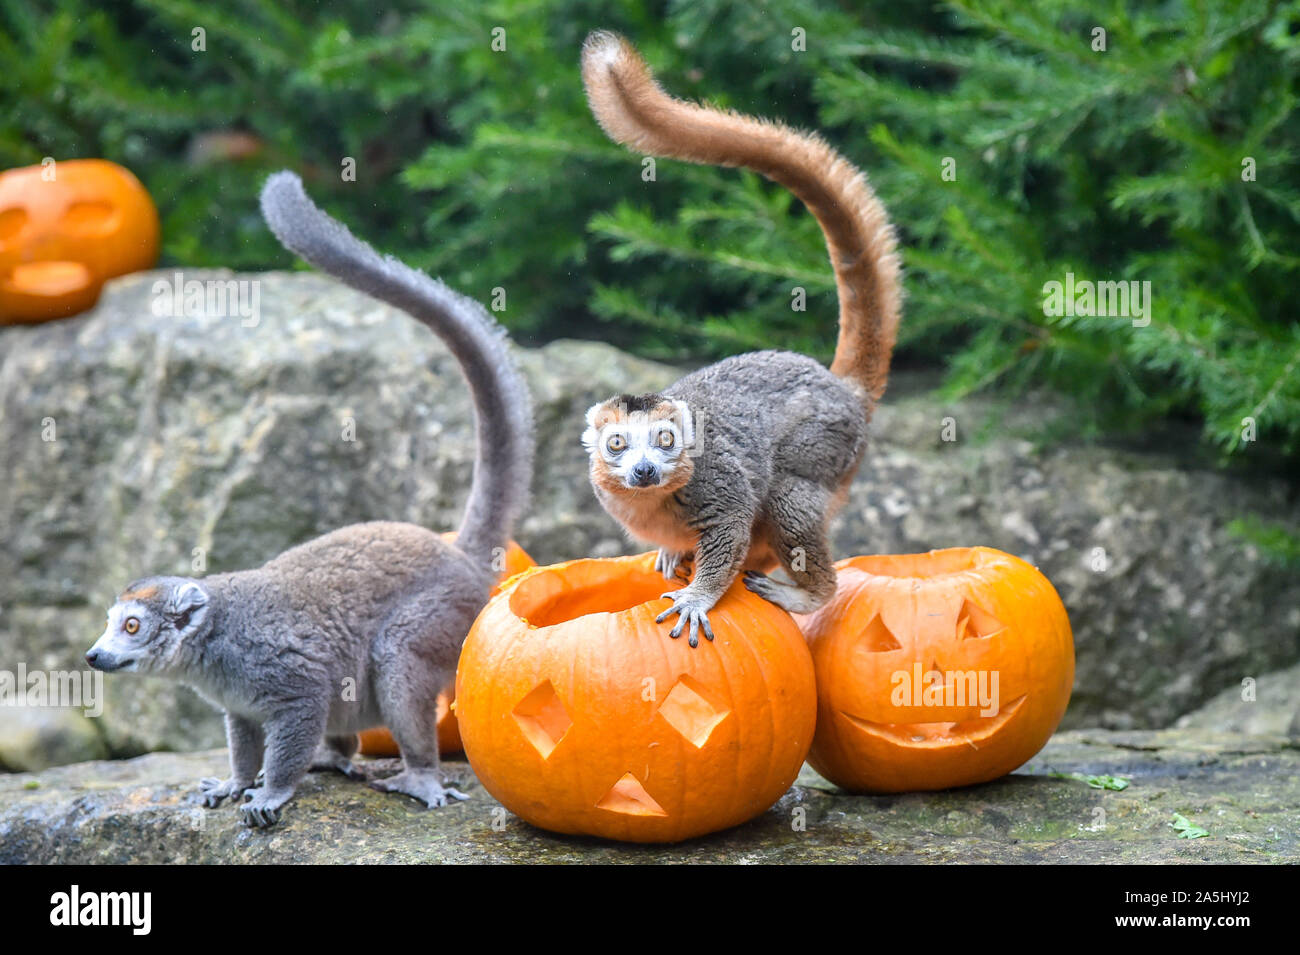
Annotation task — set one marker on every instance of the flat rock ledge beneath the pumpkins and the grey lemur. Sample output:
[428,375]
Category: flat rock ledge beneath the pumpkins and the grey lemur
[1243,792]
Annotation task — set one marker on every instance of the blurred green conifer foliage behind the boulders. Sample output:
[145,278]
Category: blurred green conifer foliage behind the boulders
[1169,157]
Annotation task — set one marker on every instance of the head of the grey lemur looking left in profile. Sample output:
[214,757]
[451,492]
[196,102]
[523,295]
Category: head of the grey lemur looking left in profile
[148,626]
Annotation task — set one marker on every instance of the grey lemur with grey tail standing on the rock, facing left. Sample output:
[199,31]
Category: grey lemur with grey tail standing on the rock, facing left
[361,627]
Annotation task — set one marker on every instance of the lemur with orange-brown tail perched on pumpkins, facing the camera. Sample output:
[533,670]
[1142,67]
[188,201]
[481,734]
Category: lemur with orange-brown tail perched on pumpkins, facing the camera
[739,466]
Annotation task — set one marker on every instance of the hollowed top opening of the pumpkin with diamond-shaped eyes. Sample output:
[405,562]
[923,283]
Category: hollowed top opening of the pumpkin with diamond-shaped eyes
[583,588]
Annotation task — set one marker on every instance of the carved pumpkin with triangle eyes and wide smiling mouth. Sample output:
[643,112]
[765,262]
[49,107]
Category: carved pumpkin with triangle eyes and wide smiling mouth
[937,670]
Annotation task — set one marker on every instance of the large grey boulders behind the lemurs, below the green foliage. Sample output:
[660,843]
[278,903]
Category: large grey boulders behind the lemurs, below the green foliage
[135,445]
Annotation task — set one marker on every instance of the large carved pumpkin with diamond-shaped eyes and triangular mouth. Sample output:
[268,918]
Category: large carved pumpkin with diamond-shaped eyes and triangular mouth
[582,715]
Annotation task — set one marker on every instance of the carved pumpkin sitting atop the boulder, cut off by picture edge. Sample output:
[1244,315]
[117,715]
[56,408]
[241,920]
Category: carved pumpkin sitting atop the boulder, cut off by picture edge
[62,237]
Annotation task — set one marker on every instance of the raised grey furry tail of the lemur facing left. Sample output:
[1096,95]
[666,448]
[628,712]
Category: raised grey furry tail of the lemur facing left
[504,467]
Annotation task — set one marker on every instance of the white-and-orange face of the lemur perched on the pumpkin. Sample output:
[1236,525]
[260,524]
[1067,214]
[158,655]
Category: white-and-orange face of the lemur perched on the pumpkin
[639,444]
